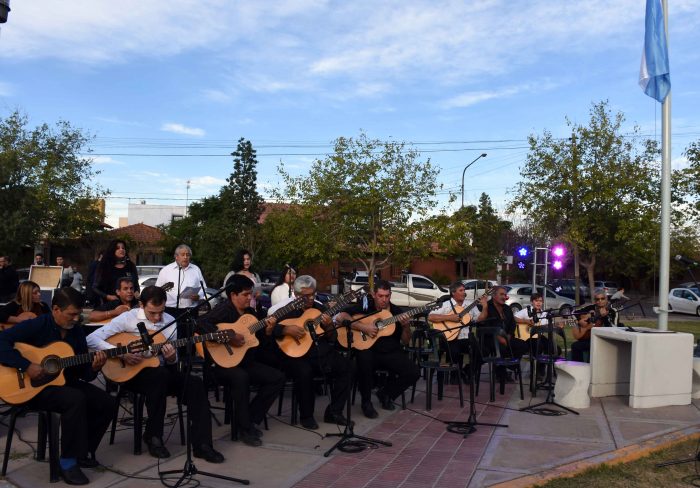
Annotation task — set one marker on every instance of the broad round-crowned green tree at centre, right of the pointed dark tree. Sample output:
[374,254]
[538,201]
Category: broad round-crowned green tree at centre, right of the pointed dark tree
[360,203]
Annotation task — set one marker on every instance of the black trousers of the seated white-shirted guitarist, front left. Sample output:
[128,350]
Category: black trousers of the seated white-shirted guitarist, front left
[157,384]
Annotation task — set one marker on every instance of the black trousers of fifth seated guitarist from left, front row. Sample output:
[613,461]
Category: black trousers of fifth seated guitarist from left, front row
[405,372]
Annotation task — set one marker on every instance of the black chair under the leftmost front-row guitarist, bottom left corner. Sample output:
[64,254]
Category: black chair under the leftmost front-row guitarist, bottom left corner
[48,428]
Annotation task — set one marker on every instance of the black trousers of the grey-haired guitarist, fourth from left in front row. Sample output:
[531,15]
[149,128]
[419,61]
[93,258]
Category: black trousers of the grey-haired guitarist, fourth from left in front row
[323,359]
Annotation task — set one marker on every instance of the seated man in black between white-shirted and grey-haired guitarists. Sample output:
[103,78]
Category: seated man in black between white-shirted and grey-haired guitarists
[269,381]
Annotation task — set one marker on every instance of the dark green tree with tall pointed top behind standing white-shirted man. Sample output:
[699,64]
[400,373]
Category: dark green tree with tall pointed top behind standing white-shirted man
[217,227]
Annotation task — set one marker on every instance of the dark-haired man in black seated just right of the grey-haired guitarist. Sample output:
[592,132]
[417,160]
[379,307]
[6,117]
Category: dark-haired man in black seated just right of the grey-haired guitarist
[387,353]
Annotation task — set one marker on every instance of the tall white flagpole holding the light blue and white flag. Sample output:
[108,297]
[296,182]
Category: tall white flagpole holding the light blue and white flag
[665,251]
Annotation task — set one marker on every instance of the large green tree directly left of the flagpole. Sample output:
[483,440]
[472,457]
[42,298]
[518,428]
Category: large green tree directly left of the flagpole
[598,191]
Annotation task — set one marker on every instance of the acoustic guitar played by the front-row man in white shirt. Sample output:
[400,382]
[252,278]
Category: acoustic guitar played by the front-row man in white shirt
[118,371]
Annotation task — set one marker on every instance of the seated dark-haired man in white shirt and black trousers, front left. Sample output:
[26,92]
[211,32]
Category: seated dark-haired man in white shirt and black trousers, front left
[159,382]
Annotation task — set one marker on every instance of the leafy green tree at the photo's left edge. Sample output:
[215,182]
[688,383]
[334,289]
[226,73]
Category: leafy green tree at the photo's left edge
[46,188]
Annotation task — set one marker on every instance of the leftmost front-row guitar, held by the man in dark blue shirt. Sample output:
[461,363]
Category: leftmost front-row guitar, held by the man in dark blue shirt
[17,387]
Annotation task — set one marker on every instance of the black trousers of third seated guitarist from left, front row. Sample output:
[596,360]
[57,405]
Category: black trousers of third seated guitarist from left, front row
[267,379]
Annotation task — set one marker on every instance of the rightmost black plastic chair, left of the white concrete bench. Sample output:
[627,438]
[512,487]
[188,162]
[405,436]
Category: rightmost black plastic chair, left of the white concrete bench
[490,350]
